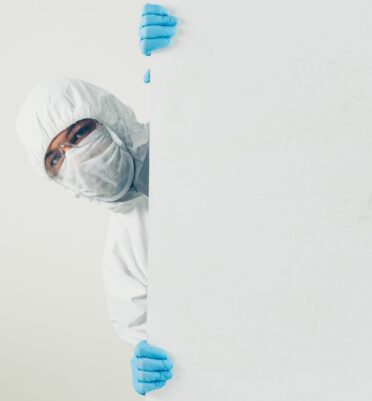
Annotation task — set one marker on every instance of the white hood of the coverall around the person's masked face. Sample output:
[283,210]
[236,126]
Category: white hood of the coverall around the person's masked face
[54,104]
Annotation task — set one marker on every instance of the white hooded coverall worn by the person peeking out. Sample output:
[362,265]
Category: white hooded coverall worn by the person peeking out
[50,107]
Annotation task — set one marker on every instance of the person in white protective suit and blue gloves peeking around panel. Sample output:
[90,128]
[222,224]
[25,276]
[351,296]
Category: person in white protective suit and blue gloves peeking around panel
[84,138]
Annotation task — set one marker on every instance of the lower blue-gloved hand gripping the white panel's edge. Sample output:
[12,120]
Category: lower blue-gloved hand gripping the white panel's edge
[151,368]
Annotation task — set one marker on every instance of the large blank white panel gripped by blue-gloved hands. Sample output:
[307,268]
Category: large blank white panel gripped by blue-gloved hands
[261,202]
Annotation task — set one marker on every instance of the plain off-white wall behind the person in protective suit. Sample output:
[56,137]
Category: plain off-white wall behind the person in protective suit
[56,341]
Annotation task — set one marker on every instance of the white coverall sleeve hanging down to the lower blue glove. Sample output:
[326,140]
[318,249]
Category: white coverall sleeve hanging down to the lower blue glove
[124,271]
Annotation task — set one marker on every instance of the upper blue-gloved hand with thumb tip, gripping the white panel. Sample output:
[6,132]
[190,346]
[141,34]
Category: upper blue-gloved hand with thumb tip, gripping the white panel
[157,28]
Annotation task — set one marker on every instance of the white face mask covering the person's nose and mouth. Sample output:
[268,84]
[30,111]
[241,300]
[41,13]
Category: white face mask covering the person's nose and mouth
[97,167]
